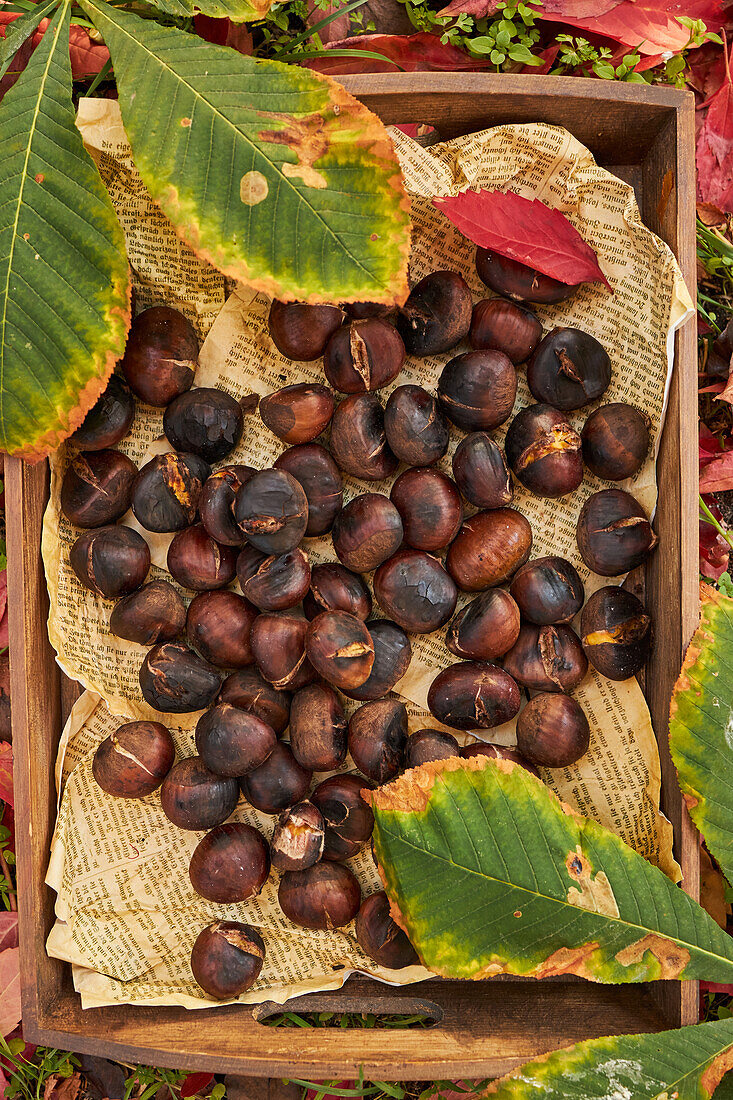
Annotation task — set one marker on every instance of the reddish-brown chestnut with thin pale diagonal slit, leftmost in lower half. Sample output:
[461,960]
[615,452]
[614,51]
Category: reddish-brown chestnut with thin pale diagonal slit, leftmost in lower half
[135,761]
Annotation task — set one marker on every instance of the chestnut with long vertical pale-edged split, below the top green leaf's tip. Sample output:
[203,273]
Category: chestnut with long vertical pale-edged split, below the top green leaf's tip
[362,356]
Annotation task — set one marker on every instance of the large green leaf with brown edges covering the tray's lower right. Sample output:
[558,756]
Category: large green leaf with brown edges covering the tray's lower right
[540,890]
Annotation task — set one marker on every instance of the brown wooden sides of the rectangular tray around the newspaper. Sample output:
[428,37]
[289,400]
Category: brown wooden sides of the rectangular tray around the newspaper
[483,1029]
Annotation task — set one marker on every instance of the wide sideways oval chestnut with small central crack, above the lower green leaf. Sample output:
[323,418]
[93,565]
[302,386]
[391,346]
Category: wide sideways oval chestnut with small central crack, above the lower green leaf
[474,696]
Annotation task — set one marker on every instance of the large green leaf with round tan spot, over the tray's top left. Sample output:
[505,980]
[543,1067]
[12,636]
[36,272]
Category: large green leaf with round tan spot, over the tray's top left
[272,173]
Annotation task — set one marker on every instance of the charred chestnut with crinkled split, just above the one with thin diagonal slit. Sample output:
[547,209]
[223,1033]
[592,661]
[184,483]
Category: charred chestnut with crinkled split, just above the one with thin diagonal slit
[177,680]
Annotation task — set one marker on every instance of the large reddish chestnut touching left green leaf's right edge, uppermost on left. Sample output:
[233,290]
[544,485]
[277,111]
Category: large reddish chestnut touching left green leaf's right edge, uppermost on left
[161,356]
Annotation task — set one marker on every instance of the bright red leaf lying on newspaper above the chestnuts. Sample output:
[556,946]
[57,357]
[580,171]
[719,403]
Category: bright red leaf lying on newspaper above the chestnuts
[526,230]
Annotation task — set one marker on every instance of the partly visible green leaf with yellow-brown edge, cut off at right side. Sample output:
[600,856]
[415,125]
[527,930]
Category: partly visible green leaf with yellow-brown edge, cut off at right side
[702,727]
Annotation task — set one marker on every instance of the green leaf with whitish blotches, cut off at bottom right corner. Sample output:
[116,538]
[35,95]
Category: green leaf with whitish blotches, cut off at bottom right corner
[686,1064]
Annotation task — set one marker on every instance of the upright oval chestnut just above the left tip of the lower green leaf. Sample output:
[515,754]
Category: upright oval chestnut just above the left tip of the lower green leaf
[378,736]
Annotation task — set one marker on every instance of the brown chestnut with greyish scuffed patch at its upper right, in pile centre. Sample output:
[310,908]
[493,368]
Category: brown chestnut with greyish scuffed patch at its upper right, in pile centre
[367,532]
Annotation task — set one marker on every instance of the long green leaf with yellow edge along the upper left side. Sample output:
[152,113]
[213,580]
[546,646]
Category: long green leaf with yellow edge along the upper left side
[64,299]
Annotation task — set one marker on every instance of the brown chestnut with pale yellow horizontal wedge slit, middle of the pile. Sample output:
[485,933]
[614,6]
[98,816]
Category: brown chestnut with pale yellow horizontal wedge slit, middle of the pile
[341,648]
